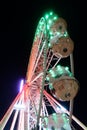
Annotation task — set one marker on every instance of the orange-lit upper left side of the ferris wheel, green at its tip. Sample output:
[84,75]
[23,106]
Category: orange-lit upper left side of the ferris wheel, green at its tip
[35,51]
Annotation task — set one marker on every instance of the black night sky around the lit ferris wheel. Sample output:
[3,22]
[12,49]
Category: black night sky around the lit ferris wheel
[18,21]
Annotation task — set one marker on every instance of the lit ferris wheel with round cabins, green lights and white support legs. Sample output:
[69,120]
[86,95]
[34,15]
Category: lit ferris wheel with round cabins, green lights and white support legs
[49,83]
